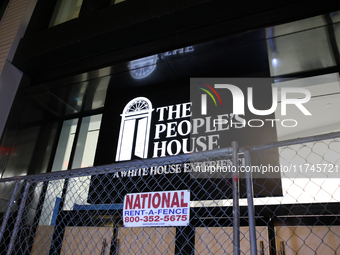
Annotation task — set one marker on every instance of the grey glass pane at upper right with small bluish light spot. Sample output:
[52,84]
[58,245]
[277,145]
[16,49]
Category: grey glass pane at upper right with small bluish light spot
[299,52]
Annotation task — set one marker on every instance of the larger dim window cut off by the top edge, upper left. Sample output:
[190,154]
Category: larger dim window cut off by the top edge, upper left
[65,10]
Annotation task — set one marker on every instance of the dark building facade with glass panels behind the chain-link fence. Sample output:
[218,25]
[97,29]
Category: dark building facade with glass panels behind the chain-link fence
[92,83]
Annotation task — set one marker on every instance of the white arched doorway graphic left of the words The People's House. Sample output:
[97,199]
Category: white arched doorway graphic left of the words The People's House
[134,129]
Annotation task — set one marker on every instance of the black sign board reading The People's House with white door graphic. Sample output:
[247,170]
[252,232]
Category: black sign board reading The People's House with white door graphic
[165,120]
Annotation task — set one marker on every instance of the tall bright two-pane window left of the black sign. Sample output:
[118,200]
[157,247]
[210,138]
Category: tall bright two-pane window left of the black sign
[85,148]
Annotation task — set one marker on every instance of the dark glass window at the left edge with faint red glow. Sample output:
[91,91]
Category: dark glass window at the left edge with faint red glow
[26,144]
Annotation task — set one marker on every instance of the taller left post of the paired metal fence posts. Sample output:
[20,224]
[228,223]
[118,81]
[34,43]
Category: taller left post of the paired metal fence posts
[236,206]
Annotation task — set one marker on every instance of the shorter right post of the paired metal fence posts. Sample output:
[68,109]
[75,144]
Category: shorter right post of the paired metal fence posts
[250,200]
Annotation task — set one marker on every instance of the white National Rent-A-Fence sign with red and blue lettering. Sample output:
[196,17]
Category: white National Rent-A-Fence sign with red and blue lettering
[163,208]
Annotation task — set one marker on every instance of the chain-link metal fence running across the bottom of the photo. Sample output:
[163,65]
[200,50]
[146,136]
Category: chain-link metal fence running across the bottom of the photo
[279,198]
